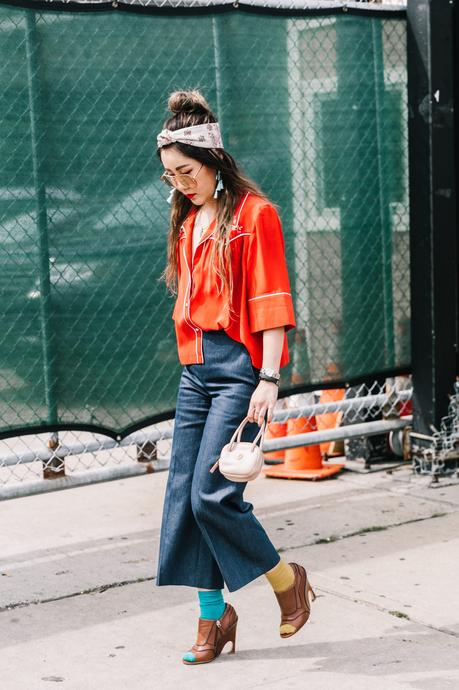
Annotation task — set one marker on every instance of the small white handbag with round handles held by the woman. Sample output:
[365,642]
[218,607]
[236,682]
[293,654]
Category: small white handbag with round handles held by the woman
[239,460]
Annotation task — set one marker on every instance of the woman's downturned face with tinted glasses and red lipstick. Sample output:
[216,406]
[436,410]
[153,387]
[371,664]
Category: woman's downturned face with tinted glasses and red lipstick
[175,162]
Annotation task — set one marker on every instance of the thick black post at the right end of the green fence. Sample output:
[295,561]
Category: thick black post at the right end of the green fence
[433,245]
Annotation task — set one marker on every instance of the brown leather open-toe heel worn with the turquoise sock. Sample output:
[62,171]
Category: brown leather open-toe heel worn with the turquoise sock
[212,637]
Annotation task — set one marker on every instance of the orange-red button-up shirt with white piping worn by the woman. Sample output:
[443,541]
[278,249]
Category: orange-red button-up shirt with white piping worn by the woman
[261,290]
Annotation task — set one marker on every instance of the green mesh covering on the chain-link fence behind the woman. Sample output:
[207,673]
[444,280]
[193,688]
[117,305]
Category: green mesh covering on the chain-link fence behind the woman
[313,108]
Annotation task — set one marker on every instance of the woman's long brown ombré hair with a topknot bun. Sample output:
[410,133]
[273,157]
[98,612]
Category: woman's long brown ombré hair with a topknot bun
[190,108]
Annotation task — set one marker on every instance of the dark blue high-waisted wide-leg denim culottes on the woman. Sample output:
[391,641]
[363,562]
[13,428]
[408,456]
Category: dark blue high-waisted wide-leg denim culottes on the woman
[209,534]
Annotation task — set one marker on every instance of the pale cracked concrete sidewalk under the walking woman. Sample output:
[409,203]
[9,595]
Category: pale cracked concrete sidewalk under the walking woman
[79,605]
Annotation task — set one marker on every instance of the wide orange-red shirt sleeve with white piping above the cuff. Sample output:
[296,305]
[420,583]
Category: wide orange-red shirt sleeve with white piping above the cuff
[269,297]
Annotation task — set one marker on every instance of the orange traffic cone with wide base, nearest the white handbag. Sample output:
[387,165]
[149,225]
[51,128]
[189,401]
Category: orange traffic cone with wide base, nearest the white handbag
[304,462]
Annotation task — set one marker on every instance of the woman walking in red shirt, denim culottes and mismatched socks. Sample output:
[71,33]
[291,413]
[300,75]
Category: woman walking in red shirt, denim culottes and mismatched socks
[226,263]
